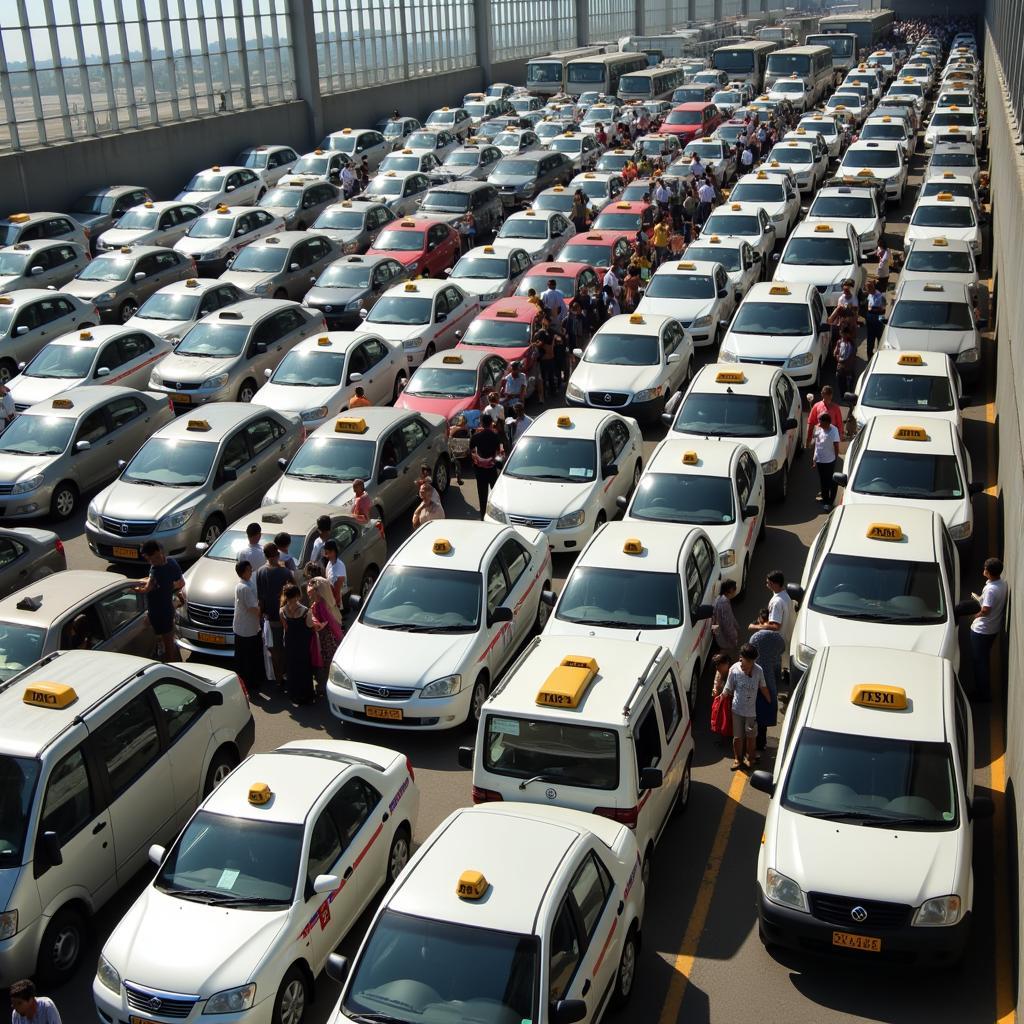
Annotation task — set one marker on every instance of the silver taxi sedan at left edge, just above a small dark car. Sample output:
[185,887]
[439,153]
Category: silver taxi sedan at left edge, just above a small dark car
[60,449]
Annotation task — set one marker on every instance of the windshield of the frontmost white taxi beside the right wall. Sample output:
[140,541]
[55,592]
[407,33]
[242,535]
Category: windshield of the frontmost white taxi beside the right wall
[872,781]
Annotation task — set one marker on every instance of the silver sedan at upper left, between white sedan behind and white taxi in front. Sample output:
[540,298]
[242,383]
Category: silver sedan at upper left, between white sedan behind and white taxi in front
[120,282]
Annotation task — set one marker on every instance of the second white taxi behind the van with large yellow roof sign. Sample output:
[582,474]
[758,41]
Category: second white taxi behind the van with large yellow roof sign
[715,485]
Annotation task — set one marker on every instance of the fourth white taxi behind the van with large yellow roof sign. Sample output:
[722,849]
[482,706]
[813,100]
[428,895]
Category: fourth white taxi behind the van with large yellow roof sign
[781,325]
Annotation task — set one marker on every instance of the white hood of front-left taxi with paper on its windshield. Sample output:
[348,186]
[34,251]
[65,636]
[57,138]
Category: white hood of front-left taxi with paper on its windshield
[225,946]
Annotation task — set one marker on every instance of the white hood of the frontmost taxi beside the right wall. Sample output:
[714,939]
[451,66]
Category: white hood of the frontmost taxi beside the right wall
[919,865]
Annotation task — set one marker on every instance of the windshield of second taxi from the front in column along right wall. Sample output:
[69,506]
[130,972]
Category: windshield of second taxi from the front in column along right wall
[879,590]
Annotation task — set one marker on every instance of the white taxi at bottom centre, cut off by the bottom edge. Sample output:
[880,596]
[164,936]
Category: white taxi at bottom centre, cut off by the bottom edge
[468,935]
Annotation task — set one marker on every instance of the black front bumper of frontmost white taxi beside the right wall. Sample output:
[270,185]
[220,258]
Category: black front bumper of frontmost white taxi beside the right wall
[795,930]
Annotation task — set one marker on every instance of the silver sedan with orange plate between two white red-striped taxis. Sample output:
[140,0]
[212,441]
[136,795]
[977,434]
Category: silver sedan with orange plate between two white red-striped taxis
[224,357]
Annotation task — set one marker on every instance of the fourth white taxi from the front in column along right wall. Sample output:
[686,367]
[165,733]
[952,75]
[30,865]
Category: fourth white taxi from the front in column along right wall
[925,385]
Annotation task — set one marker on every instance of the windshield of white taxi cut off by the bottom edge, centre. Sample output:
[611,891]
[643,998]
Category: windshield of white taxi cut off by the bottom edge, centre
[425,970]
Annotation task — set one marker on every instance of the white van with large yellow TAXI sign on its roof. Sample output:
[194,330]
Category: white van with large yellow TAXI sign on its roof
[600,727]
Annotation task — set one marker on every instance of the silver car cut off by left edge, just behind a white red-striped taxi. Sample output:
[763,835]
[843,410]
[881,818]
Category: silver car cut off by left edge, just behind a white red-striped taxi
[32,318]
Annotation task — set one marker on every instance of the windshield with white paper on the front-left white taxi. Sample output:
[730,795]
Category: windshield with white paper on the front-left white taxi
[230,862]
